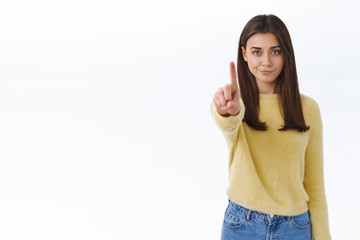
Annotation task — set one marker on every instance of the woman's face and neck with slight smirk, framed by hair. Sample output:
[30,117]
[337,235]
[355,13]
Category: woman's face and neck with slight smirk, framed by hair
[265,60]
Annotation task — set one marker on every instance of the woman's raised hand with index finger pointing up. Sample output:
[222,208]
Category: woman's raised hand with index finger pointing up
[226,99]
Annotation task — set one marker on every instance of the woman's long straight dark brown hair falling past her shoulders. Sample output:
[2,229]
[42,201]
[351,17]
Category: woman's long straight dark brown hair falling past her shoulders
[286,83]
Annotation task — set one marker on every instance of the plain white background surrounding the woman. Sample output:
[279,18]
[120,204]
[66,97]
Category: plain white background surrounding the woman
[105,128]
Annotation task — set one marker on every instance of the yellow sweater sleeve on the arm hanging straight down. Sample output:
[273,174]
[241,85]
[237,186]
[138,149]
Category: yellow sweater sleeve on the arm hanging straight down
[314,177]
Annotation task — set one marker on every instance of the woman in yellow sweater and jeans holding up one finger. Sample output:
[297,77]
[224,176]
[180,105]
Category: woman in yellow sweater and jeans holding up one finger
[274,135]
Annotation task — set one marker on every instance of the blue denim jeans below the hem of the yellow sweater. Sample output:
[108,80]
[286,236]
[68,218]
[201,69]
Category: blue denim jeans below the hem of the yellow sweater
[241,223]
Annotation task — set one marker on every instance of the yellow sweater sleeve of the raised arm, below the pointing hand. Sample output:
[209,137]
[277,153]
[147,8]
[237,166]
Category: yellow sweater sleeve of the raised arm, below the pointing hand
[228,125]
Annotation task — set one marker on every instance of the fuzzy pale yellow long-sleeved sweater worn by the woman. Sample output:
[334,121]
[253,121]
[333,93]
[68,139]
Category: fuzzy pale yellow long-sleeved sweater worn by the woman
[277,172]
